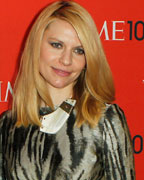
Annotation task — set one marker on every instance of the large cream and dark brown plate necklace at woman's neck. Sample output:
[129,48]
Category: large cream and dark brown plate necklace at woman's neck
[52,123]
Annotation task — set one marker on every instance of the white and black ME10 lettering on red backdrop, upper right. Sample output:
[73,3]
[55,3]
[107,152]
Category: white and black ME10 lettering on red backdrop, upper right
[122,30]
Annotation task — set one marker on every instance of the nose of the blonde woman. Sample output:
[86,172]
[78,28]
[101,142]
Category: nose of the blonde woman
[66,58]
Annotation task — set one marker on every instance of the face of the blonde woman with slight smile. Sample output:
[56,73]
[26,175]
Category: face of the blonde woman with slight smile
[62,56]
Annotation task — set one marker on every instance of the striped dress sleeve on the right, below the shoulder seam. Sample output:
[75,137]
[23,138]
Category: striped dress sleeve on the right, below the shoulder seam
[117,151]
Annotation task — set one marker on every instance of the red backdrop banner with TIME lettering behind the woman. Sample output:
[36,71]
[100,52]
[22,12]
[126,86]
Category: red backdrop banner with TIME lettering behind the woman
[121,28]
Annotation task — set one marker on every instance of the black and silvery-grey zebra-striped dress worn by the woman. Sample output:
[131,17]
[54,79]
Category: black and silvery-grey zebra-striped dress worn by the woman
[101,153]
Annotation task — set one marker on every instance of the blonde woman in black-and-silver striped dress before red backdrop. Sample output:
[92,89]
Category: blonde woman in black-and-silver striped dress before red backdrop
[62,125]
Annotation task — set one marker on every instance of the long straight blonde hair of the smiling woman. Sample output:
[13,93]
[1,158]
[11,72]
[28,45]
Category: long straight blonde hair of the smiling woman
[95,85]
